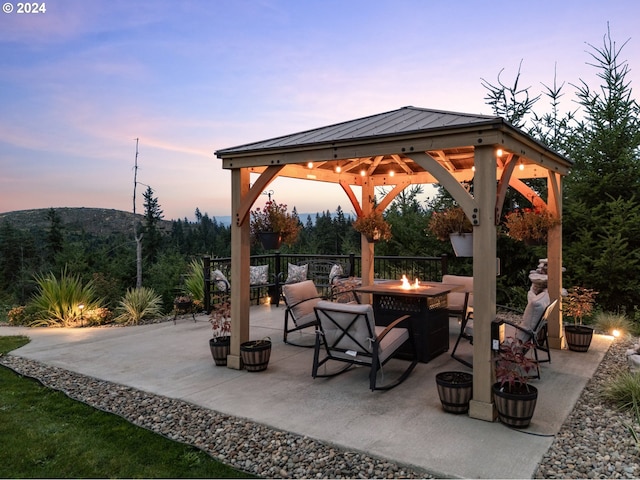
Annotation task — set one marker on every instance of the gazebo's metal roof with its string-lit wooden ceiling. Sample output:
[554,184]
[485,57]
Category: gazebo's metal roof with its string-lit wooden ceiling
[381,147]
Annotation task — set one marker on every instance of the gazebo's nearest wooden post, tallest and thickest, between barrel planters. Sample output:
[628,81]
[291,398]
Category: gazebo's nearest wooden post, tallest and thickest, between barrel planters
[484,274]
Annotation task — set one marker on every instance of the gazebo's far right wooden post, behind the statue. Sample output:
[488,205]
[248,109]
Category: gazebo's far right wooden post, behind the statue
[554,256]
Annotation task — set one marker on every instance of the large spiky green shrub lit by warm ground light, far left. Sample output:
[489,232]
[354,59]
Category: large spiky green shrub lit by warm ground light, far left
[63,301]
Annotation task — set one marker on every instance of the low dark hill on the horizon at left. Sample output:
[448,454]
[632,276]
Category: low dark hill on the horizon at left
[98,221]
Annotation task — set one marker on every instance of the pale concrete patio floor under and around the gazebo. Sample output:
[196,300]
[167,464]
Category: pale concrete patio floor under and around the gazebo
[406,425]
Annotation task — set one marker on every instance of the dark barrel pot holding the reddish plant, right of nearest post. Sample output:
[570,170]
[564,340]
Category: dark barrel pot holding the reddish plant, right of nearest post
[515,405]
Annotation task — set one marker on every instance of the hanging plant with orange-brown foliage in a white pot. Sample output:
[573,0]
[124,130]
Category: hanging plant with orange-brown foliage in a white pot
[452,224]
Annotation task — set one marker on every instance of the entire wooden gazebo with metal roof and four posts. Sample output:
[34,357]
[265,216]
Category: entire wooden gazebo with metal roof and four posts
[396,149]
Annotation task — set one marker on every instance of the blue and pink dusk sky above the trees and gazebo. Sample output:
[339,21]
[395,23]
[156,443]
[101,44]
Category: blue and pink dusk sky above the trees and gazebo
[80,82]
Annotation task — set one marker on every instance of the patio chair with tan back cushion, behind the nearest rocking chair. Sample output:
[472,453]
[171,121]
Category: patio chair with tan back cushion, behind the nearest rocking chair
[299,298]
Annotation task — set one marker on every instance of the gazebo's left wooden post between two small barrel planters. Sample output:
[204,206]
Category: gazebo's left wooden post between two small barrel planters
[240,260]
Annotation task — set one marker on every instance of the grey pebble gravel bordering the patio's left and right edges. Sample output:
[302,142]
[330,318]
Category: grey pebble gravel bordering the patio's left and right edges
[594,442]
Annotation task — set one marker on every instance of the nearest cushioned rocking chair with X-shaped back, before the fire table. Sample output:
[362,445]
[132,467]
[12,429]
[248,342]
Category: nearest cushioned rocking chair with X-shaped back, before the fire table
[346,333]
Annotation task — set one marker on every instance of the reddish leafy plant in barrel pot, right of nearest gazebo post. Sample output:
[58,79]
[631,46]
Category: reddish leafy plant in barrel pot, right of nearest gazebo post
[514,398]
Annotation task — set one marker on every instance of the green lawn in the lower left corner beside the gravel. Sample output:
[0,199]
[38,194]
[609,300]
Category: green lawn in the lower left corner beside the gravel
[45,434]
